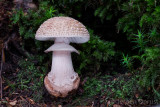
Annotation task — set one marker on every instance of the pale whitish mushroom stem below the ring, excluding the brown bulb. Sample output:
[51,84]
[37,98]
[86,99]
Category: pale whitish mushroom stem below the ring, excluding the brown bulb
[62,72]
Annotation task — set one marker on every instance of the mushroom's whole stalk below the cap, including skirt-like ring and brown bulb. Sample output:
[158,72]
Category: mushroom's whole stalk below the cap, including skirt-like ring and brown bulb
[61,79]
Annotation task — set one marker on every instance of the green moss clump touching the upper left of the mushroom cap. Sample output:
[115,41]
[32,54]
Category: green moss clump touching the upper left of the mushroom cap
[29,22]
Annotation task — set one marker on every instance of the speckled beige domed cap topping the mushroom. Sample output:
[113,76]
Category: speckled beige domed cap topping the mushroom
[65,27]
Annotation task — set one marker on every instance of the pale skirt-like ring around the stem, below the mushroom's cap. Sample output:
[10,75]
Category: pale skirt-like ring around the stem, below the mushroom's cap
[61,47]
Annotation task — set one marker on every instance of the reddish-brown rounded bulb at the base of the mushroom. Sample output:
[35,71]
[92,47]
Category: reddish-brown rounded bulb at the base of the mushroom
[61,91]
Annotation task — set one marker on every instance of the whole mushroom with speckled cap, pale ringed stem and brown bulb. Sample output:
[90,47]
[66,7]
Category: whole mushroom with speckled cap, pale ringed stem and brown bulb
[62,79]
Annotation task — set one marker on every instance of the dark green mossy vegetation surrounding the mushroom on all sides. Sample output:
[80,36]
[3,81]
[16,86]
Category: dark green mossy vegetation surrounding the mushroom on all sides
[121,60]
